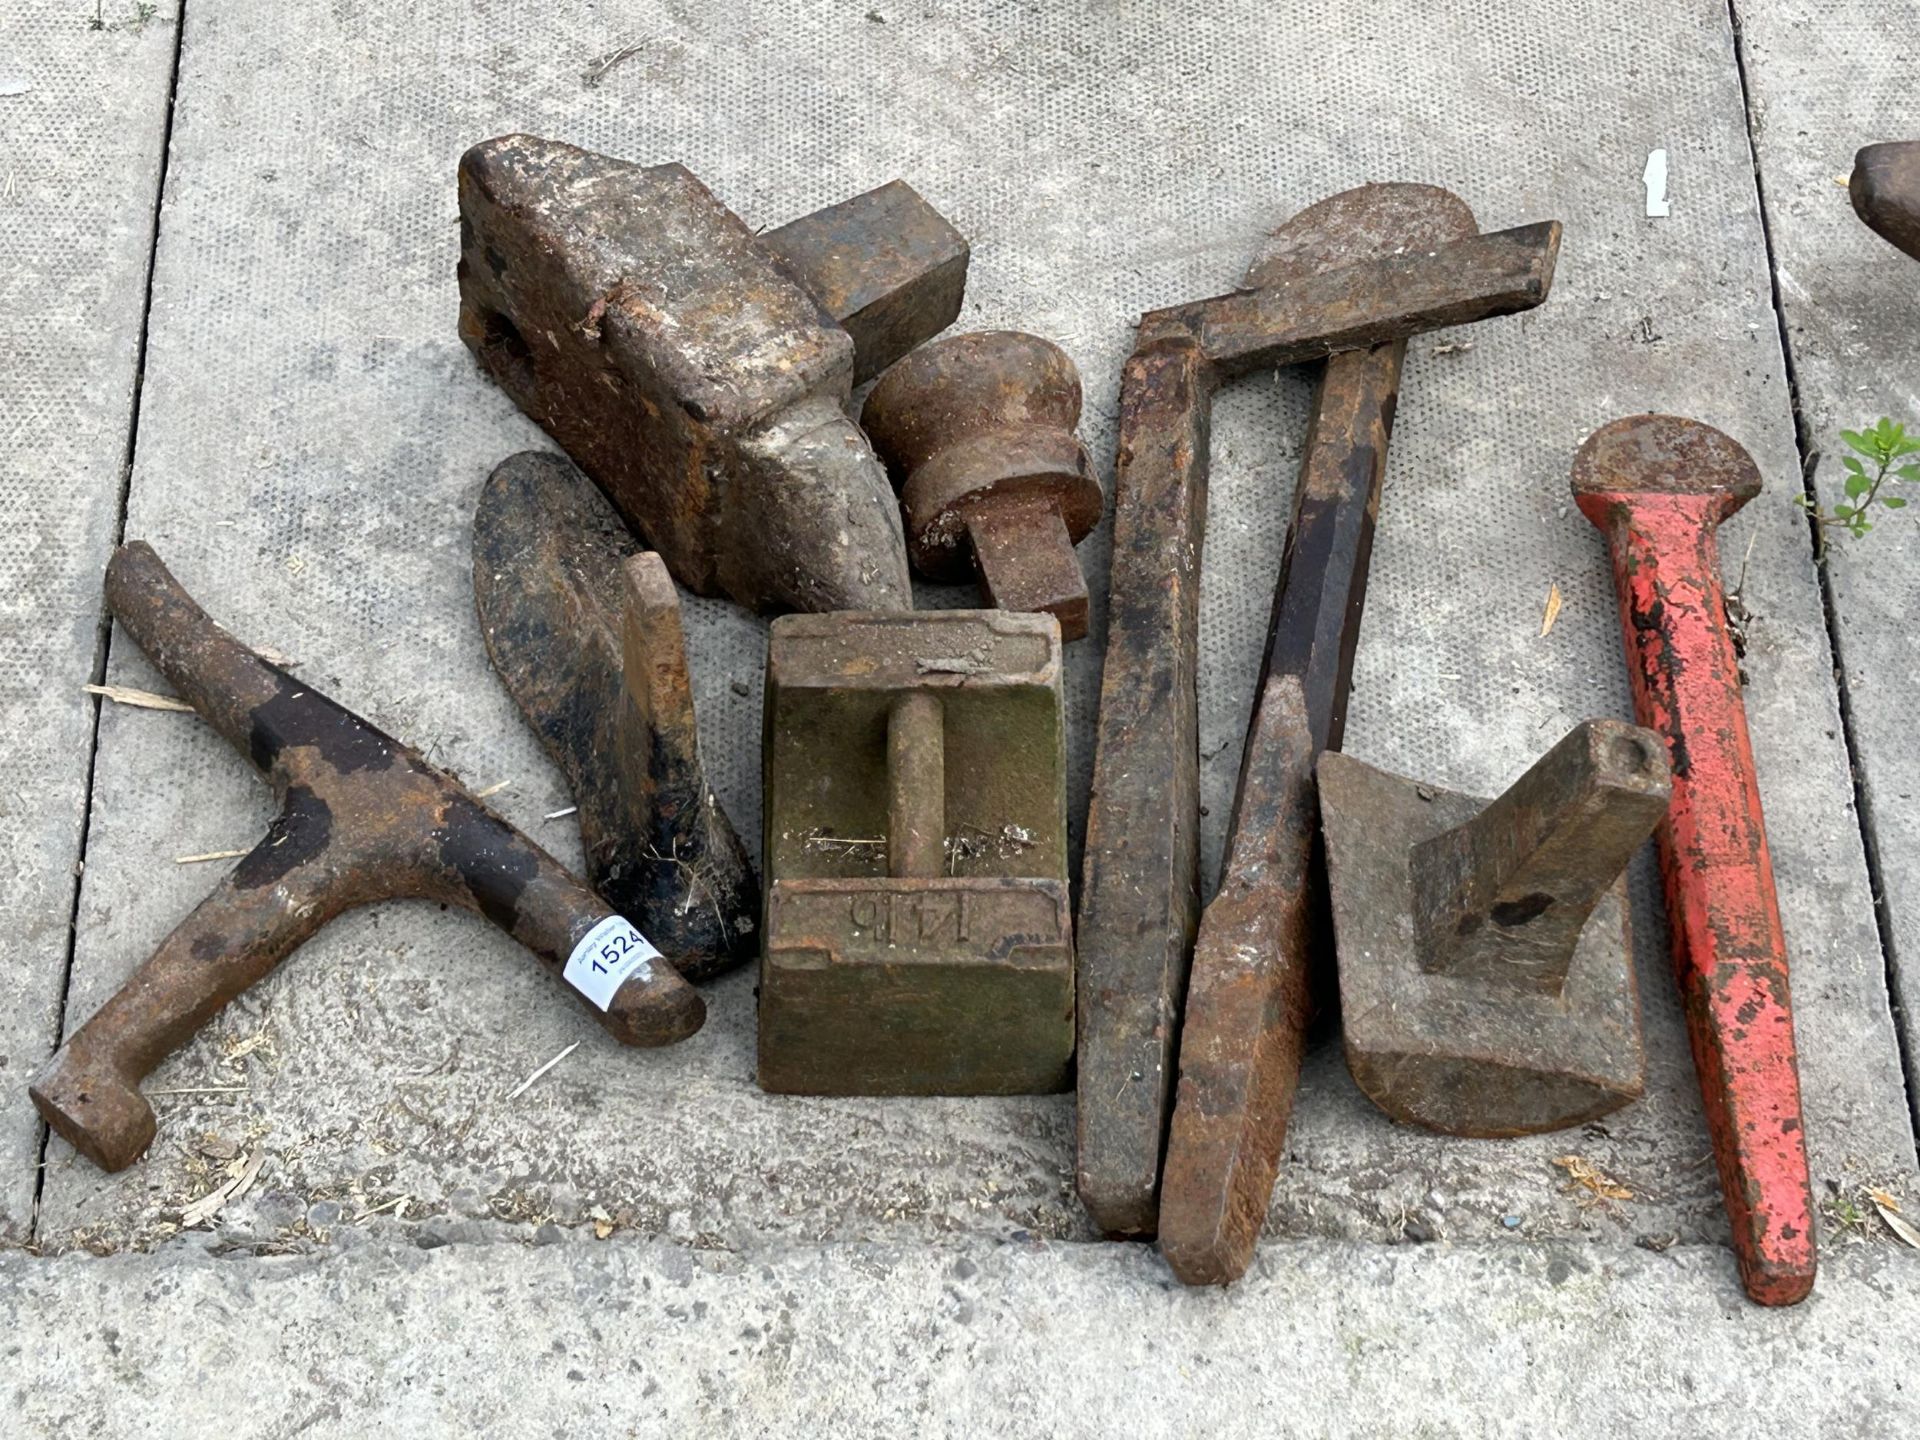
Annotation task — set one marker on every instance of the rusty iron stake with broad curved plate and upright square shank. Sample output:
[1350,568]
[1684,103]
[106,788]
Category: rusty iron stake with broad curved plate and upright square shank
[1487,971]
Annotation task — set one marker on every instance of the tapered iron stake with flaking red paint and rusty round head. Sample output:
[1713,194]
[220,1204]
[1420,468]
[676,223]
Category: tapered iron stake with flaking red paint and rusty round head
[1660,487]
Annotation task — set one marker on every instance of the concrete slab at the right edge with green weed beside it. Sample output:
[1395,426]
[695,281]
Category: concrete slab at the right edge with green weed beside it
[1827,80]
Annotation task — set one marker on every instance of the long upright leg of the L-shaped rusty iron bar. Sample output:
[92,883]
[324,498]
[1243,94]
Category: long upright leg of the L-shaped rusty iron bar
[1141,876]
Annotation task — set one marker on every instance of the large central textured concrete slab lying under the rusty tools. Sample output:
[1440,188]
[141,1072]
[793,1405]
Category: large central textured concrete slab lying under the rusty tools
[316,437]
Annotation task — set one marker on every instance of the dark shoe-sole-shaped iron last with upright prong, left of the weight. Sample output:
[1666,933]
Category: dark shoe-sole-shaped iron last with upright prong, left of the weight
[585,633]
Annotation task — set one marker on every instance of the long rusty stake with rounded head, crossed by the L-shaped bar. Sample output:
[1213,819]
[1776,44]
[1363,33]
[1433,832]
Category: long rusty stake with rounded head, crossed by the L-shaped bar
[1249,990]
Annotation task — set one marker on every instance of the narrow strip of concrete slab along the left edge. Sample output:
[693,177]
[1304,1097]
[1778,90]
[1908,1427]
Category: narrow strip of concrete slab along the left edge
[84,112]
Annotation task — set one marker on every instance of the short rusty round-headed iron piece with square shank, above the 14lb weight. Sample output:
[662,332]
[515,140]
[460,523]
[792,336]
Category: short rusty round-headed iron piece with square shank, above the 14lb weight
[978,435]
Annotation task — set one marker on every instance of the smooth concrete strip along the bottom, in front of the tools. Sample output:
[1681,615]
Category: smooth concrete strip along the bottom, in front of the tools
[951,1341]
